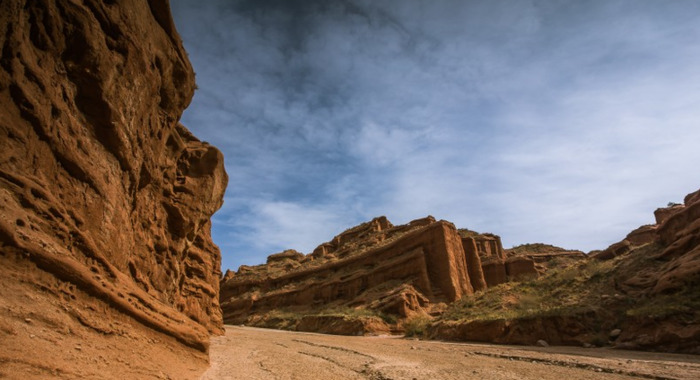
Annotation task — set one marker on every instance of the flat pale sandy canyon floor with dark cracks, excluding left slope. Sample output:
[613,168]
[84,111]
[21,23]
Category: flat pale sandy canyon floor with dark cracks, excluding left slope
[251,353]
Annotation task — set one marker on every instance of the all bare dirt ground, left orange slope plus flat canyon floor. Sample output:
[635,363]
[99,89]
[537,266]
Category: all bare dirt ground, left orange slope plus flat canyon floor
[50,330]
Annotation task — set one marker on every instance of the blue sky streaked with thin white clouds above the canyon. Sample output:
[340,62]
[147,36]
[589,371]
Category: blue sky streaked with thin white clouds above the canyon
[564,122]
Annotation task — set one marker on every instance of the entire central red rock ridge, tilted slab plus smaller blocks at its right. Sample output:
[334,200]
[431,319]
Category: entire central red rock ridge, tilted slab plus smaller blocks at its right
[398,272]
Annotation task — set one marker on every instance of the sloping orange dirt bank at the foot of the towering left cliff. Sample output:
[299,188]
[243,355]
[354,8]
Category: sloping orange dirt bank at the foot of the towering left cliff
[51,330]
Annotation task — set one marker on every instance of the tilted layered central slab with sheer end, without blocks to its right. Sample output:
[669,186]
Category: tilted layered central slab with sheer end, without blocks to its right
[397,270]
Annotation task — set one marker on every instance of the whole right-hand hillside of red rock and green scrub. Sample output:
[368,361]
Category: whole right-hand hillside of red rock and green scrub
[640,293]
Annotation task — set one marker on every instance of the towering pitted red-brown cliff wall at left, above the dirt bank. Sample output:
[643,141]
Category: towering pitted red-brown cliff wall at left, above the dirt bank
[100,186]
